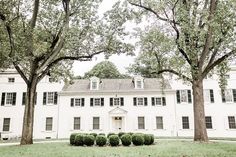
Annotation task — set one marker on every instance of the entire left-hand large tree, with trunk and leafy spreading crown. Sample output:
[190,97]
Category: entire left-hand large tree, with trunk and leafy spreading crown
[41,37]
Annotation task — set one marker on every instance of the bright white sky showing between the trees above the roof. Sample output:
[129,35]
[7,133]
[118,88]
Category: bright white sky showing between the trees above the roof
[121,61]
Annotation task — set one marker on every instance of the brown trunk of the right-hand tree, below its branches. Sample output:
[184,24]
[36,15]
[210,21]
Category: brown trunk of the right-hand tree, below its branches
[200,133]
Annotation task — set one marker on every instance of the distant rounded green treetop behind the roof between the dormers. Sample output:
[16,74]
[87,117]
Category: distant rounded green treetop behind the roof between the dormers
[104,69]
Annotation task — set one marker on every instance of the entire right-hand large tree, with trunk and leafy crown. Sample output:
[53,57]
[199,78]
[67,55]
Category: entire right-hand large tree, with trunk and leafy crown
[203,32]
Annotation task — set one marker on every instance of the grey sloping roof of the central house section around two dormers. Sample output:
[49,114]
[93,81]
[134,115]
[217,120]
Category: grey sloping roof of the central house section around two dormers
[83,85]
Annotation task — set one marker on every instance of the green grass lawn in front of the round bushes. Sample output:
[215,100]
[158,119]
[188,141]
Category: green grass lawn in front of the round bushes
[160,149]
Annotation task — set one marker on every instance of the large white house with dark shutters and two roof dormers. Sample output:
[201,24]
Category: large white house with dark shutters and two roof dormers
[116,105]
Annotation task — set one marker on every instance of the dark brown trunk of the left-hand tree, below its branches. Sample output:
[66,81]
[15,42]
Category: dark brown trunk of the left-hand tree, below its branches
[28,121]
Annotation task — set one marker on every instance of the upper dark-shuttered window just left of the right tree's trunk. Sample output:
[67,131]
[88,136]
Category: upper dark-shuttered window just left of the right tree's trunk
[183,96]
